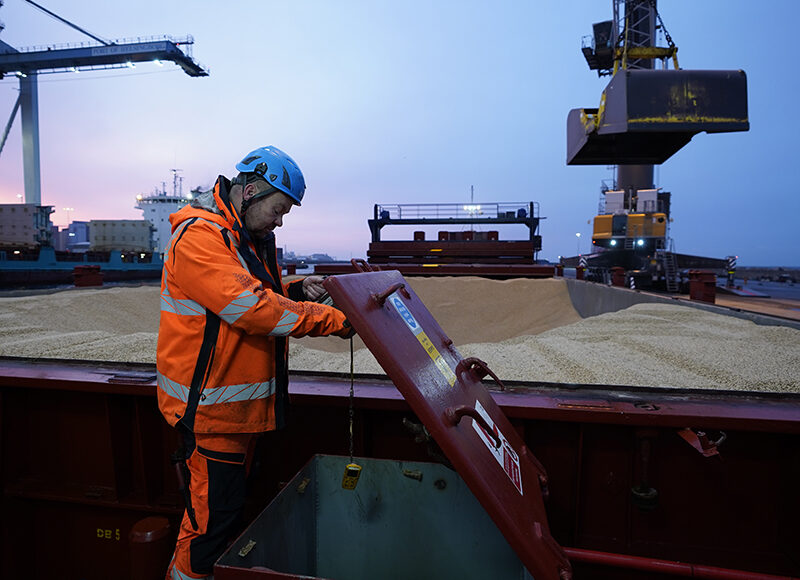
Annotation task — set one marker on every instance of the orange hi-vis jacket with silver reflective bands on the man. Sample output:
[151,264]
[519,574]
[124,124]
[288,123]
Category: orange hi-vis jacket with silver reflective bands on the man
[225,318]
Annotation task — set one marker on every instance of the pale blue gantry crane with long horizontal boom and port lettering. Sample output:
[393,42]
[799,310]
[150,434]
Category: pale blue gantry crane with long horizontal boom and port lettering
[97,55]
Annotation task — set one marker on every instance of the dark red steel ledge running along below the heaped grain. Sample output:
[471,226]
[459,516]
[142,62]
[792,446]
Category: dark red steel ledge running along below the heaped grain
[767,412]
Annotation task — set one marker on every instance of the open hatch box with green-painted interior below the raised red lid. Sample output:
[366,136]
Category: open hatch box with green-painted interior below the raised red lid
[403,520]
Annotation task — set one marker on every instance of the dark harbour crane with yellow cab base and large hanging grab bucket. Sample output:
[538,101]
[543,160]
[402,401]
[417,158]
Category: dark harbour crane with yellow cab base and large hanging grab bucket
[646,114]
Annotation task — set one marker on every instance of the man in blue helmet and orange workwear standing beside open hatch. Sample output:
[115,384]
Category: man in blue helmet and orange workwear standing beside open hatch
[222,344]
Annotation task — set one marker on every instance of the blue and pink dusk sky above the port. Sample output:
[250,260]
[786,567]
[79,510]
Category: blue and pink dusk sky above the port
[404,102]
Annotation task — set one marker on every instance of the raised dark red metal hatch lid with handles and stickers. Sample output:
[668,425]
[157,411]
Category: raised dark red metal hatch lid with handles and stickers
[446,393]
